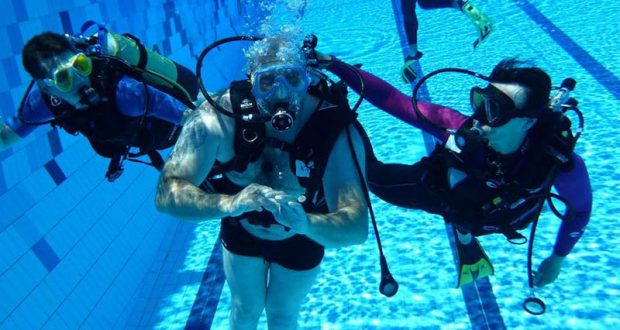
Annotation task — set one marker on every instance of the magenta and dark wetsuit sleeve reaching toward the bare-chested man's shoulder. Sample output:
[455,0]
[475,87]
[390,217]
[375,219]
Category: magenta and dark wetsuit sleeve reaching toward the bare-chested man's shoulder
[387,98]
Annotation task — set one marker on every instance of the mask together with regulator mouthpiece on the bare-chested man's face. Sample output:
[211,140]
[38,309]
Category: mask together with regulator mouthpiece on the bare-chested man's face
[279,89]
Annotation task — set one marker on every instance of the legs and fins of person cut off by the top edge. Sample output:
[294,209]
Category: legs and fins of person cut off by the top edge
[481,23]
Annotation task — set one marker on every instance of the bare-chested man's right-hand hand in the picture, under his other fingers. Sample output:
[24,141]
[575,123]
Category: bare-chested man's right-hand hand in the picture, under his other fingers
[288,212]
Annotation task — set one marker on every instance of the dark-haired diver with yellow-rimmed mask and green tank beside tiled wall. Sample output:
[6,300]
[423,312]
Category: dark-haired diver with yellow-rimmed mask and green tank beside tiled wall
[109,88]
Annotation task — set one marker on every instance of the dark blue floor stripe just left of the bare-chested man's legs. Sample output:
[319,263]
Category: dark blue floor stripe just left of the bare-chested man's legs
[208,296]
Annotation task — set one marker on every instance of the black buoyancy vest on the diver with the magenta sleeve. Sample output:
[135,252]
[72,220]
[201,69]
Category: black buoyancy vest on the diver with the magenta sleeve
[505,194]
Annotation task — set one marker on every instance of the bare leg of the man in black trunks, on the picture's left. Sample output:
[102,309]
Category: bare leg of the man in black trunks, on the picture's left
[247,280]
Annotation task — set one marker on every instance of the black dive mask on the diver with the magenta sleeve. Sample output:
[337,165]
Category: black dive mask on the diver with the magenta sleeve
[491,106]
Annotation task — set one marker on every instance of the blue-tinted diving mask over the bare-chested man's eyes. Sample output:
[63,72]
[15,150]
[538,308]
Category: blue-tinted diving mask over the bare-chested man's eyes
[268,82]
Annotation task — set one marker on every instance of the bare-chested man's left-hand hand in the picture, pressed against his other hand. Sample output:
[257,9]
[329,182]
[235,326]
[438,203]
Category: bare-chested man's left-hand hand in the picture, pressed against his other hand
[251,198]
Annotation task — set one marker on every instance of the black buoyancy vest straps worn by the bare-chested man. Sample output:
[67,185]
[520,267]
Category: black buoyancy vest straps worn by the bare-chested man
[308,154]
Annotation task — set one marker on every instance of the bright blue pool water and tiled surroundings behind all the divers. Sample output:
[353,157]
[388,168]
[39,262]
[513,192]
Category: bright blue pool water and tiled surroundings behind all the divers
[170,274]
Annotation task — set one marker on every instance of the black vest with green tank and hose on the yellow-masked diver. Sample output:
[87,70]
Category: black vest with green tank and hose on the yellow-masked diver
[110,133]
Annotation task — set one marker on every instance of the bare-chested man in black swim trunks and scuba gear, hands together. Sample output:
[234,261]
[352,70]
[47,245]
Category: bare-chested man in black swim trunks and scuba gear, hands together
[278,154]
